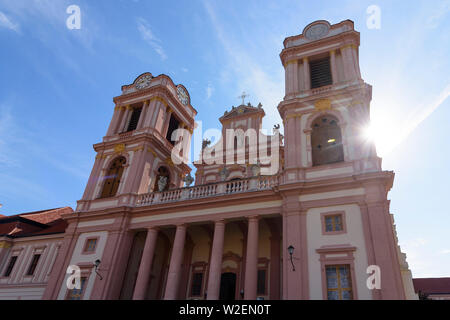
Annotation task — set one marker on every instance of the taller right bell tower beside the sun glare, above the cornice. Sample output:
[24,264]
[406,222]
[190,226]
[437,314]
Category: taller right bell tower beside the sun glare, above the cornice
[326,105]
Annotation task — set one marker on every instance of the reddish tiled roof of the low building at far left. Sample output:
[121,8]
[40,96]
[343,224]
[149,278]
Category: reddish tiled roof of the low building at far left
[34,223]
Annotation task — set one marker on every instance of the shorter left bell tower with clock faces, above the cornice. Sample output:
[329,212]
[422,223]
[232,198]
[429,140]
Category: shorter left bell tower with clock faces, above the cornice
[136,155]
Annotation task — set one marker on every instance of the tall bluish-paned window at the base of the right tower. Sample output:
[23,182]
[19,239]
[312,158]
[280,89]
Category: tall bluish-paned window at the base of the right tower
[339,285]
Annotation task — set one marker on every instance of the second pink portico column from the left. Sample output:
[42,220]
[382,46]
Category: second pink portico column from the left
[173,277]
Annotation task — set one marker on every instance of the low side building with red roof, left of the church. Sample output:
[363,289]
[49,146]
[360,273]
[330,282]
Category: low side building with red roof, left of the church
[29,244]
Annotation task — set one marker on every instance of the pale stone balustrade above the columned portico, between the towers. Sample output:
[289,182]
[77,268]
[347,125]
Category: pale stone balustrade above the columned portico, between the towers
[209,190]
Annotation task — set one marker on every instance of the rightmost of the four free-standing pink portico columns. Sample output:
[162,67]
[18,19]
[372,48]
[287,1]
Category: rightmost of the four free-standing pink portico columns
[251,265]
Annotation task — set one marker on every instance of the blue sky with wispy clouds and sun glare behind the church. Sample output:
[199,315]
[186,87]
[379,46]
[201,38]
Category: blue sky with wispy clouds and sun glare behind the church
[57,85]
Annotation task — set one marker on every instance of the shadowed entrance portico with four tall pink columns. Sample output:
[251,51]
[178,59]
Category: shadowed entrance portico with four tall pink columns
[230,259]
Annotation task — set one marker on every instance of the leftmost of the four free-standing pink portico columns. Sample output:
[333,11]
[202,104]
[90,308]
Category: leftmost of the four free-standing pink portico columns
[145,267]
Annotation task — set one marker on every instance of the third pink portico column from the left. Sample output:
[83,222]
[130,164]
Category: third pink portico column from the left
[215,269]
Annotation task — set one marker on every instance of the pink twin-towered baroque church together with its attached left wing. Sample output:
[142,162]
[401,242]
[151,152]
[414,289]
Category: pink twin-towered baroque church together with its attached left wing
[299,216]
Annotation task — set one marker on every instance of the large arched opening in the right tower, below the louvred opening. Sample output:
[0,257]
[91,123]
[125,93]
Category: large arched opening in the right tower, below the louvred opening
[326,141]
